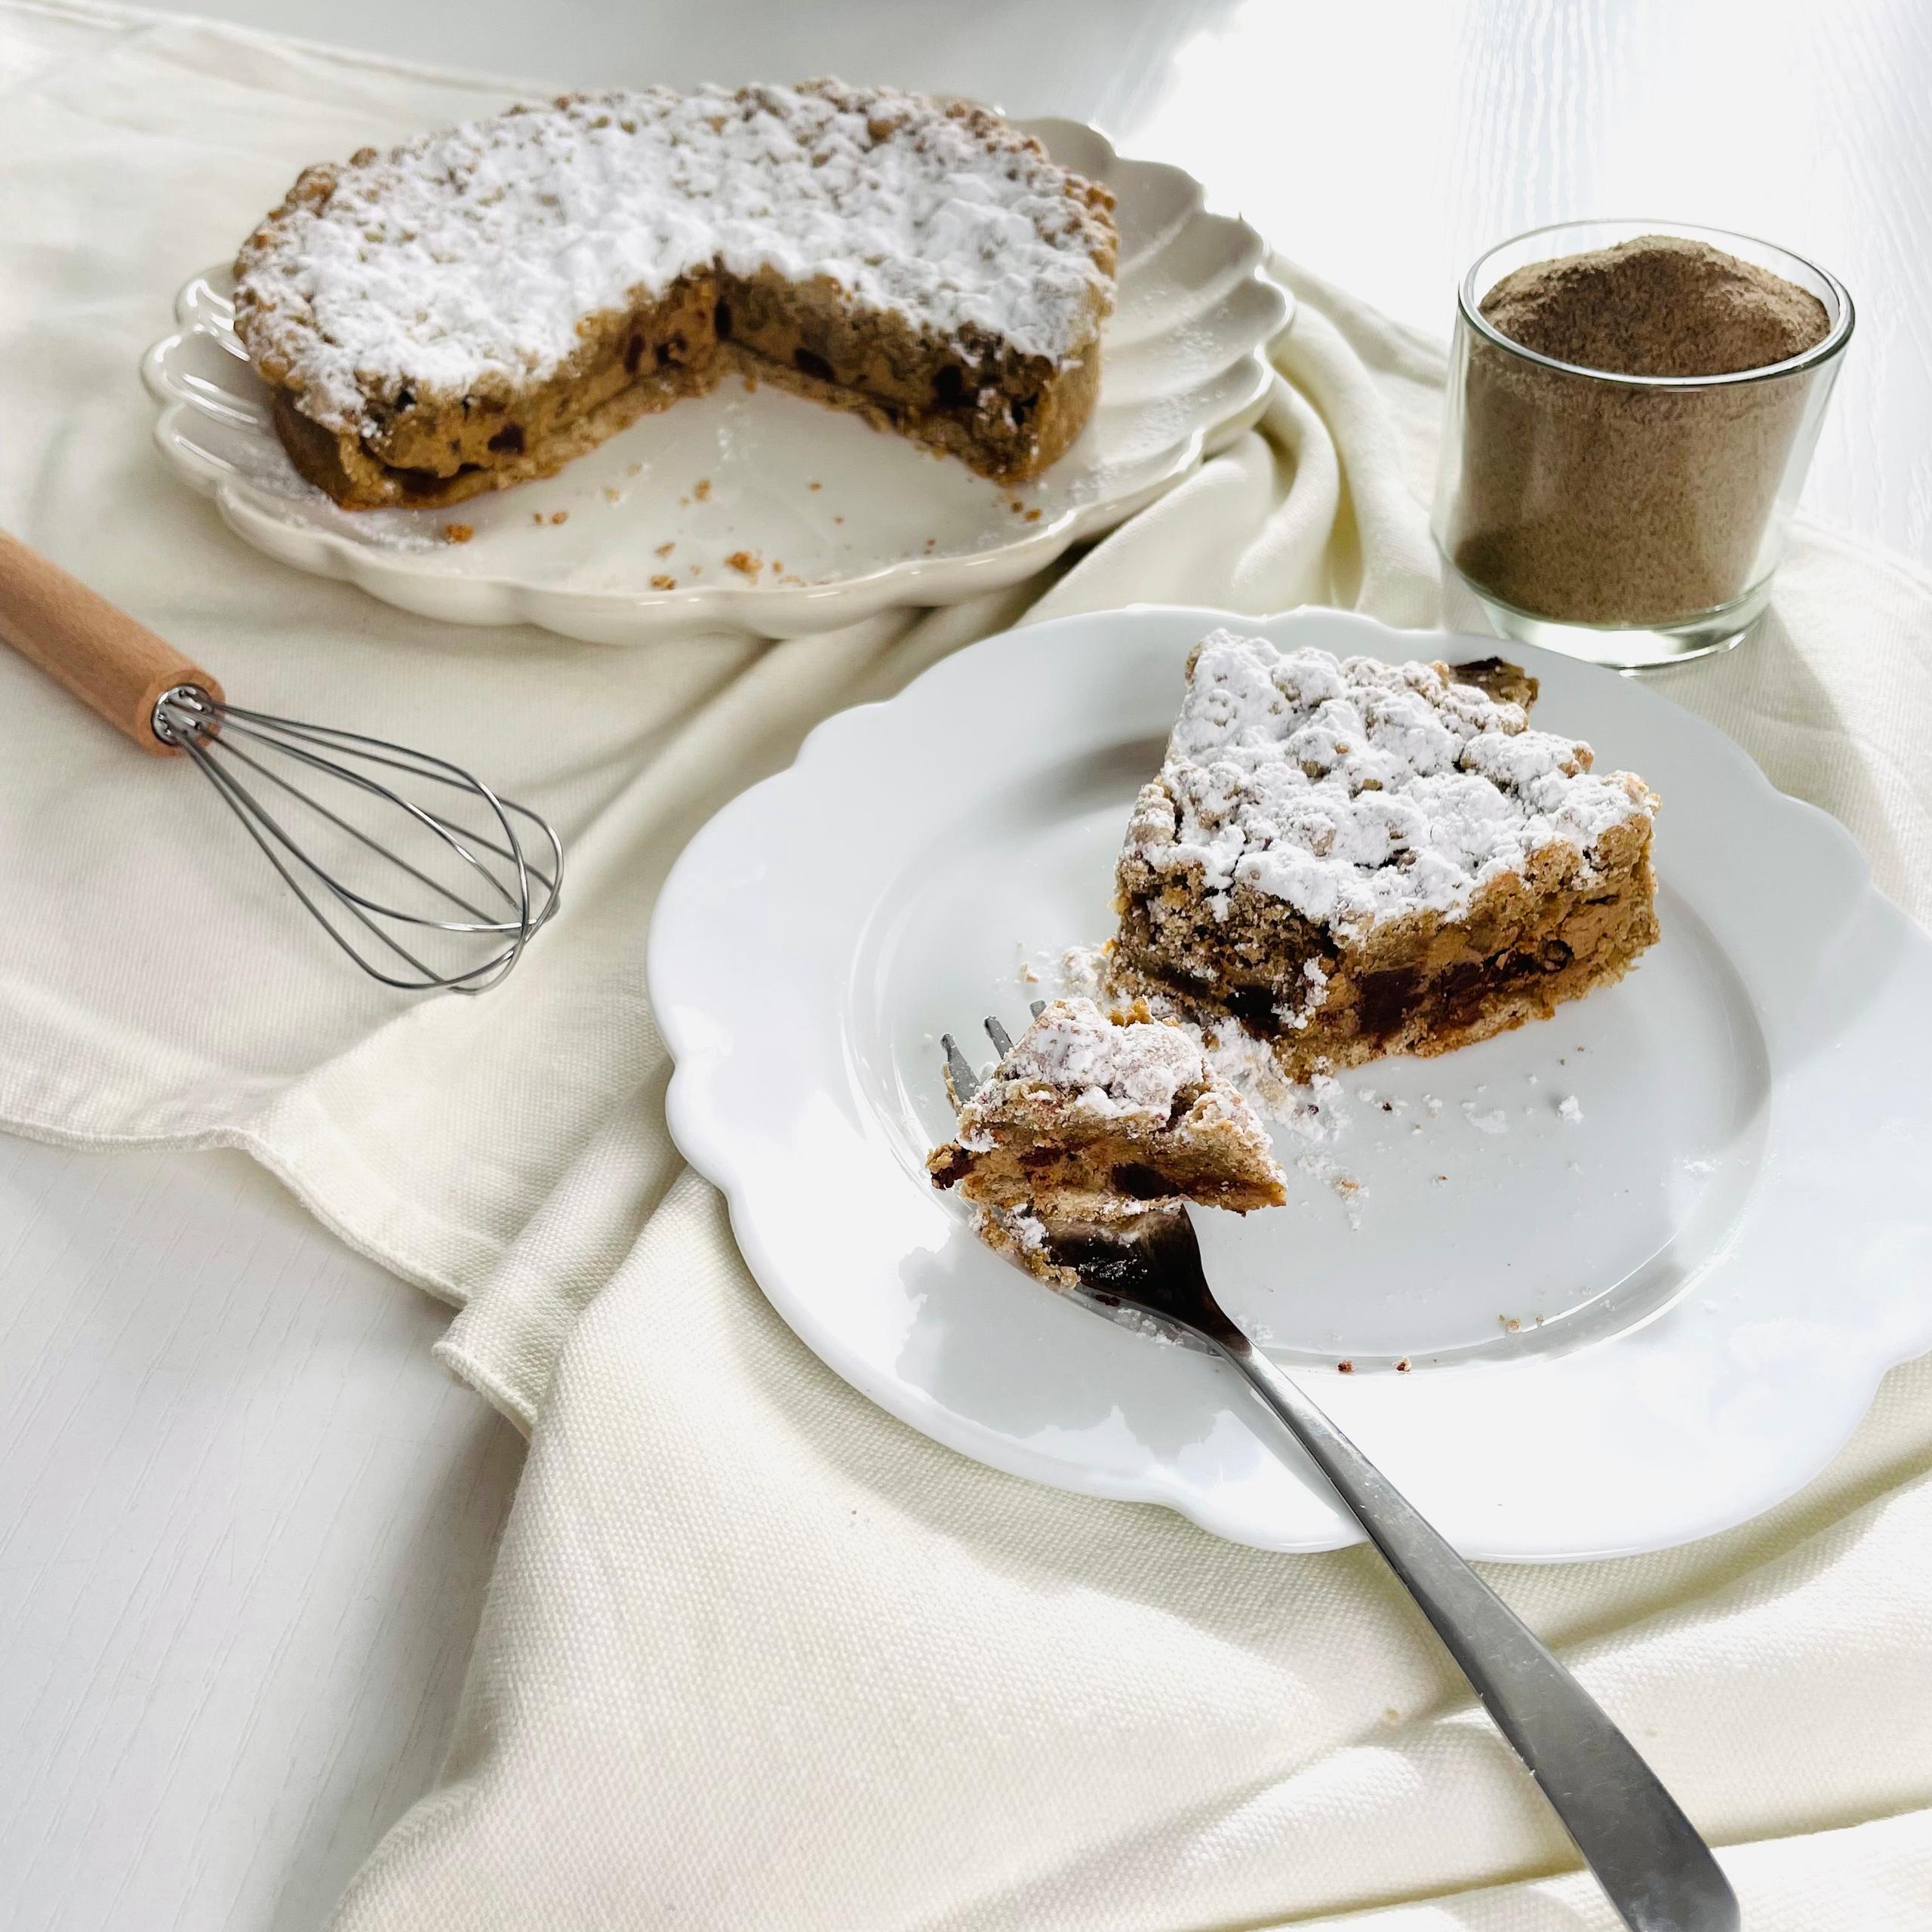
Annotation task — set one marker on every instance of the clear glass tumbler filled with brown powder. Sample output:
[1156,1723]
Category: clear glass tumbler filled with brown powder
[1628,519]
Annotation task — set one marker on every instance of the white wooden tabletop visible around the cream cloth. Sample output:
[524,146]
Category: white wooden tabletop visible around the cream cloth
[244,1520]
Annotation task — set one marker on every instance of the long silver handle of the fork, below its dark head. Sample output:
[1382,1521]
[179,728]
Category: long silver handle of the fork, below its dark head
[1635,1838]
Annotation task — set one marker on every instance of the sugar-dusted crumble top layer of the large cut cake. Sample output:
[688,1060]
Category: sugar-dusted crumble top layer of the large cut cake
[470,256]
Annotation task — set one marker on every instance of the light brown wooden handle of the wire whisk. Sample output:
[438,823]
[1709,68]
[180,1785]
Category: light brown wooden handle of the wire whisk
[103,656]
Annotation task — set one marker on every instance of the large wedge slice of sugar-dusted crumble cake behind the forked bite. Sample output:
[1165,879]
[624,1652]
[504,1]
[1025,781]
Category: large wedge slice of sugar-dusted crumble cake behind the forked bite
[1355,859]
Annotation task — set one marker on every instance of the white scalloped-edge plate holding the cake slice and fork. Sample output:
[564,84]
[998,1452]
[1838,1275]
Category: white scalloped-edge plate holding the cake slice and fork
[1628,1330]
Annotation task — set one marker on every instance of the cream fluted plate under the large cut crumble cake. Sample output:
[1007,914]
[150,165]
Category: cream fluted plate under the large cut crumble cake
[828,519]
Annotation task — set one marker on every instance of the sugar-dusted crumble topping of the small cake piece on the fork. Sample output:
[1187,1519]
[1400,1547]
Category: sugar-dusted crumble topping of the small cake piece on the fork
[1075,1058]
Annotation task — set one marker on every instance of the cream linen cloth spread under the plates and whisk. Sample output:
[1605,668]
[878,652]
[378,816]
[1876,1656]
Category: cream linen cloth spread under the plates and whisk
[756,1655]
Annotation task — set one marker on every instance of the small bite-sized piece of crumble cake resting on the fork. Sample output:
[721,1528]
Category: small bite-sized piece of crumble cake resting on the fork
[1087,1123]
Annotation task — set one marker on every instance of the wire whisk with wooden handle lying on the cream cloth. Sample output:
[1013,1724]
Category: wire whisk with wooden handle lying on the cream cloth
[353,824]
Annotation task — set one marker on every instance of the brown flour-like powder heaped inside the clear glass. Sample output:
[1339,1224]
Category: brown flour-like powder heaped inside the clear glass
[1601,503]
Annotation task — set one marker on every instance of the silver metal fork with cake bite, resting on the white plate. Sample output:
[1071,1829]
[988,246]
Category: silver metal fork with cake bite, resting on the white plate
[1632,1833]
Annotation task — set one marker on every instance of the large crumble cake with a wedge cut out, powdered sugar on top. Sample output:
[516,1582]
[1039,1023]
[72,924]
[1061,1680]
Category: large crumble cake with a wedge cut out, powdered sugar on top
[480,306]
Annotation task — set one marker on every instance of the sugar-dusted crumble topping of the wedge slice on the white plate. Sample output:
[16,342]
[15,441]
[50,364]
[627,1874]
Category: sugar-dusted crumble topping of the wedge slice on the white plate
[1361,791]
